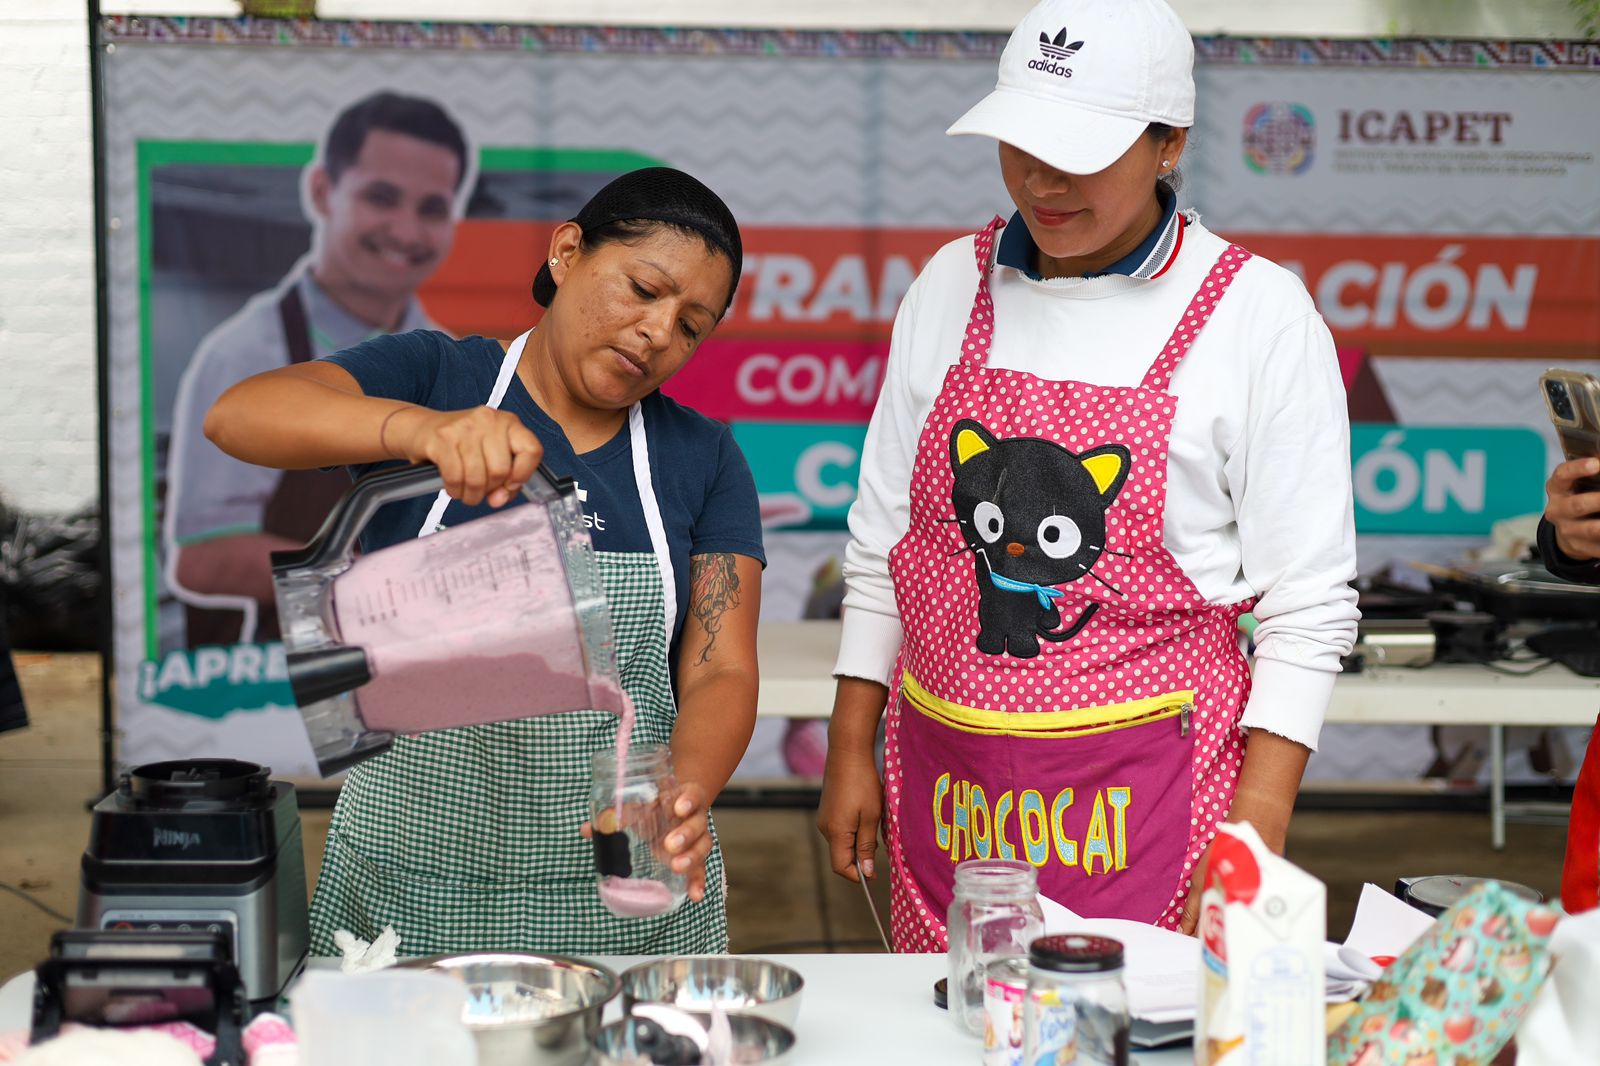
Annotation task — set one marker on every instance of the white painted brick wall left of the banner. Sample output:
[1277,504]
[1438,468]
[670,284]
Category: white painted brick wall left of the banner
[47,258]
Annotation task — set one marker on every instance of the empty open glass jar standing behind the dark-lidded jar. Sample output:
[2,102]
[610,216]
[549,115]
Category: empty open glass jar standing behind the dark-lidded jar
[994,915]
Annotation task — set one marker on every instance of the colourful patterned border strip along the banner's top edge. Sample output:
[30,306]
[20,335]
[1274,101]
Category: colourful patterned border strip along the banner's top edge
[1454,55]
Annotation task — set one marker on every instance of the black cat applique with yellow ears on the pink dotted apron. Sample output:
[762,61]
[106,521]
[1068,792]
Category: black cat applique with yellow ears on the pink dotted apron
[1034,518]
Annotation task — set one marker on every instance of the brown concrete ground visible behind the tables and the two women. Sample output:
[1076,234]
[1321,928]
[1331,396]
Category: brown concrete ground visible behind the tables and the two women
[782,892]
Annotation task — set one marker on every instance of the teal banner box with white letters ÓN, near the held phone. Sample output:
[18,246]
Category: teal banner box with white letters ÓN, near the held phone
[1444,479]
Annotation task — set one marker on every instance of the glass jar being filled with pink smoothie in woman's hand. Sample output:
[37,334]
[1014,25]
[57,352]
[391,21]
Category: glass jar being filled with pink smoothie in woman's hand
[631,814]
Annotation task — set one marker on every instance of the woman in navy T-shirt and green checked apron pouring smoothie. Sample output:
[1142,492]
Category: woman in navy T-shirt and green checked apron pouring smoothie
[470,840]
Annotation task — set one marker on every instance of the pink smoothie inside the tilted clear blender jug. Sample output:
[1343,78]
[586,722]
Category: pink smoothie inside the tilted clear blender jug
[470,630]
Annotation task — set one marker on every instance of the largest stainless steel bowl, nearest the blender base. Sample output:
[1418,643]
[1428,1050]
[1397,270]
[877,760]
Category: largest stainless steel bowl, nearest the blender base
[529,1011]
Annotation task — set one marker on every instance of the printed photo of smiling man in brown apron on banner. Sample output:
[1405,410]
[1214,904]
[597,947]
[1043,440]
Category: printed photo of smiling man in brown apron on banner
[383,196]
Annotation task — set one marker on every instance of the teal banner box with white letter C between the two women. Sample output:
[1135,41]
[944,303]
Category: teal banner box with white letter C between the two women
[806,473]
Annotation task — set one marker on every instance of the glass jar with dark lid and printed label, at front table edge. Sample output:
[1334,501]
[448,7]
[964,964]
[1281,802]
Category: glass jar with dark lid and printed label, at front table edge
[1078,1006]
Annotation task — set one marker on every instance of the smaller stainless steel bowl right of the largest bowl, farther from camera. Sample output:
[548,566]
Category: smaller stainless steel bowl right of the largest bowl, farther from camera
[738,985]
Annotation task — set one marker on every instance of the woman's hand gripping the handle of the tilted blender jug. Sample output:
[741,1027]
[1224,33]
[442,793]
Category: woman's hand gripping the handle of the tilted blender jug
[482,454]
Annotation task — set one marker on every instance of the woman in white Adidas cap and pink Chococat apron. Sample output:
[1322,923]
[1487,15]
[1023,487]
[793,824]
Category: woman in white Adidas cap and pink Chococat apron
[1105,435]
